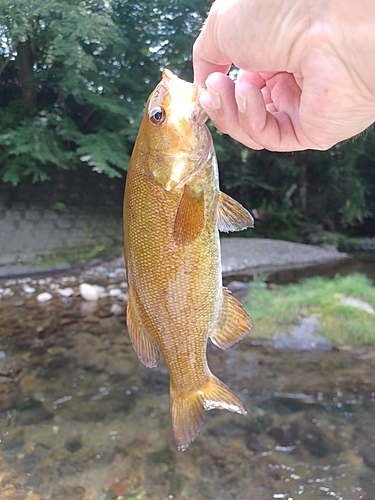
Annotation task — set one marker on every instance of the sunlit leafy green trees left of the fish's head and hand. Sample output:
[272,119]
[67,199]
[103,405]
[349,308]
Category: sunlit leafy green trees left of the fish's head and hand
[75,76]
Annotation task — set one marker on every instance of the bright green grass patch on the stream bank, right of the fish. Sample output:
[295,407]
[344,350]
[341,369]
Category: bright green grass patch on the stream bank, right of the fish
[281,308]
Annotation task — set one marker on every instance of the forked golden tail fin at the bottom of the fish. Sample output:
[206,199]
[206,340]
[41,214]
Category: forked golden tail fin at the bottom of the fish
[188,409]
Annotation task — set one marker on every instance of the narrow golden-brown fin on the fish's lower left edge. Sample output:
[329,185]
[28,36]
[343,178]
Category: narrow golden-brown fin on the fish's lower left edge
[146,349]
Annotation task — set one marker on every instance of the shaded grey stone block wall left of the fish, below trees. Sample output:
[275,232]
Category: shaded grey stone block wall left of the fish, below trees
[71,210]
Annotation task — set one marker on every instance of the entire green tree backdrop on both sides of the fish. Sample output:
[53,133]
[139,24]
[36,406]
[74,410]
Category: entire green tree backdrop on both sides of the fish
[74,78]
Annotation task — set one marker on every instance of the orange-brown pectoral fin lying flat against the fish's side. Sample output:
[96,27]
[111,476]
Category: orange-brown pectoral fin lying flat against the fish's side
[189,217]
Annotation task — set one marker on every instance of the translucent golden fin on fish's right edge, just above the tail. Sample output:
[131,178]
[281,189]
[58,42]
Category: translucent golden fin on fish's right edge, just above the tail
[233,324]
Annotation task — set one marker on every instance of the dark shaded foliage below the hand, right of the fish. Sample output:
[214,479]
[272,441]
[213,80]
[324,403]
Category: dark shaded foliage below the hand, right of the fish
[292,191]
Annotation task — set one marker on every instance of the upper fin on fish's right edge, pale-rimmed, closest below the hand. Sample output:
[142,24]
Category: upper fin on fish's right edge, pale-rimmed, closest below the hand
[231,215]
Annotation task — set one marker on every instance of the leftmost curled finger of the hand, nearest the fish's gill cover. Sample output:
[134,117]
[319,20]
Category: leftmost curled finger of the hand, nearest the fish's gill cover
[220,104]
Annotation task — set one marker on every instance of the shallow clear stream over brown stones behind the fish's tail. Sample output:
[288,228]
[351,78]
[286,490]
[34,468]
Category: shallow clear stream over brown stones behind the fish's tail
[82,419]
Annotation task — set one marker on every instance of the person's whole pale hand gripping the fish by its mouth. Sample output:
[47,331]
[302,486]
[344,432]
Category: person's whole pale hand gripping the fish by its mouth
[307,71]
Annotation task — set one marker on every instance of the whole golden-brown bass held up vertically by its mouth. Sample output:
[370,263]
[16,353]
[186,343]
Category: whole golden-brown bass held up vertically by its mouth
[173,212]
